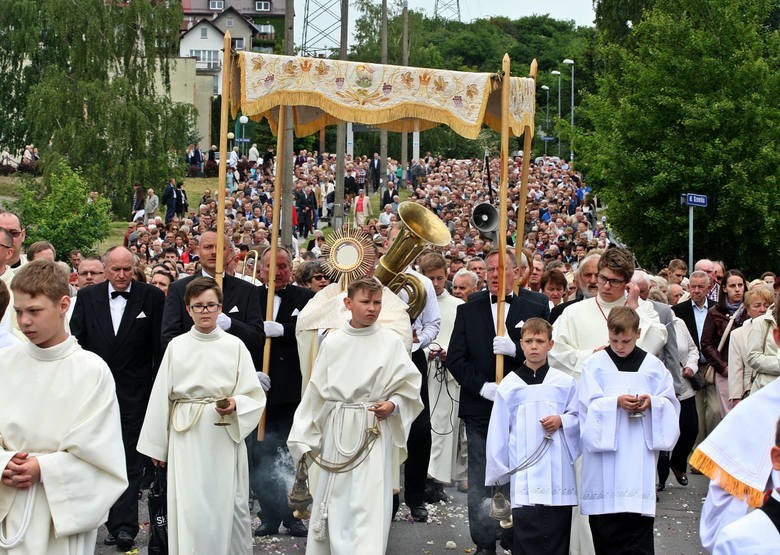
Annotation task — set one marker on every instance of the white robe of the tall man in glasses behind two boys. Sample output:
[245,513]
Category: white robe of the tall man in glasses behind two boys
[582,327]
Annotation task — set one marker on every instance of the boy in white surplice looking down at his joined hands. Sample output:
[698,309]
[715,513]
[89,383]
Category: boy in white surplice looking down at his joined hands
[628,413]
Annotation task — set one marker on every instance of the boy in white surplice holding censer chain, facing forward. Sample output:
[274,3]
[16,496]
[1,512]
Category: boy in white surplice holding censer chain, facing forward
[533,439]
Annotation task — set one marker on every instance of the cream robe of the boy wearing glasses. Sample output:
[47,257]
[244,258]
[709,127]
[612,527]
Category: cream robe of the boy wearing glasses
[208,472]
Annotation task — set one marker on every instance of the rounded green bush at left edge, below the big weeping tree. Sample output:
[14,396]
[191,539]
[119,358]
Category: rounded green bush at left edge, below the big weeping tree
[55,209]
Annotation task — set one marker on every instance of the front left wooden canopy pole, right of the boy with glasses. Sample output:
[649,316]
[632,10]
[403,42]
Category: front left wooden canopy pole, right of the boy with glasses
[281,156]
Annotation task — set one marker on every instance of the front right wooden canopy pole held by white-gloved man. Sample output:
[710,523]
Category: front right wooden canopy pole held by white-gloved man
[501,235]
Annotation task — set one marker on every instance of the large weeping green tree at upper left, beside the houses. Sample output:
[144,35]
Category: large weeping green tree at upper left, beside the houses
[88,79]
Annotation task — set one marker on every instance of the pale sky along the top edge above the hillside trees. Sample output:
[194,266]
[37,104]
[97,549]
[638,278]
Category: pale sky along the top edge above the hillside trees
[581,11]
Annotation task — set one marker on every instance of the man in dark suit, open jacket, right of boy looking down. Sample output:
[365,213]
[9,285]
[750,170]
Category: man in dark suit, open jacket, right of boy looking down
[699,418]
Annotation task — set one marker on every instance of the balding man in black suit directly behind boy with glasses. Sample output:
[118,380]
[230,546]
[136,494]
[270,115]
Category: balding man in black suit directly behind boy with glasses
[241,315]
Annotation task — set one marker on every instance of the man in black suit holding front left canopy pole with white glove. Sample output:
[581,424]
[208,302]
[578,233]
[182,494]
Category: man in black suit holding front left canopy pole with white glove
[269,457]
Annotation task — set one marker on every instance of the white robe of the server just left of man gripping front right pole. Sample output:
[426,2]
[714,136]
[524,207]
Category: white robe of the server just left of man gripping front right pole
[443,393]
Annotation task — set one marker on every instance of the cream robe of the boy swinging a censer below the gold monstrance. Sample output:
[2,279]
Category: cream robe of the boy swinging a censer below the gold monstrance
[354,369]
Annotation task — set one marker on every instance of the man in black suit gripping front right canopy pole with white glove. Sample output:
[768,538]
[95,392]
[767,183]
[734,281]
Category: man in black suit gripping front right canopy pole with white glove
[472,361]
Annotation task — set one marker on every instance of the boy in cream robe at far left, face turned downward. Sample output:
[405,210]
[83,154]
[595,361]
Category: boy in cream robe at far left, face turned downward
[61,453]
